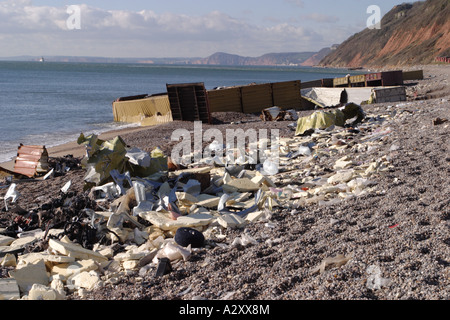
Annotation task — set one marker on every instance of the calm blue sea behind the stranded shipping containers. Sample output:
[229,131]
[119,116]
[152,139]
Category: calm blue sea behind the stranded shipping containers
[52,103]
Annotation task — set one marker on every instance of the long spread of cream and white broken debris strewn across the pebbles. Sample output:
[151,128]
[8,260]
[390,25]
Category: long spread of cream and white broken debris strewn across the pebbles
[146,215]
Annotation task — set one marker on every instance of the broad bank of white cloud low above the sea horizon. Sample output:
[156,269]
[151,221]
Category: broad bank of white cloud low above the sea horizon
[37,30]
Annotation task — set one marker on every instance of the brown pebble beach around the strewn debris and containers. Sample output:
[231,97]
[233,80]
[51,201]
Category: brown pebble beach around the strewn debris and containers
[387,238]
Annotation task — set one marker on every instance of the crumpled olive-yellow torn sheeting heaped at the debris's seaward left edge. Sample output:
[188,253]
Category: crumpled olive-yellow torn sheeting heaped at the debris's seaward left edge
[104,156]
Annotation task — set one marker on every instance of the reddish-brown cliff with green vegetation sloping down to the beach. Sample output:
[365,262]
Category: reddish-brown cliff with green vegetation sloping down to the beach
[410,34]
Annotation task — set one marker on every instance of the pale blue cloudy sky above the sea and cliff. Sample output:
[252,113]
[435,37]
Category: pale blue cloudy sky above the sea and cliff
[178,28]
